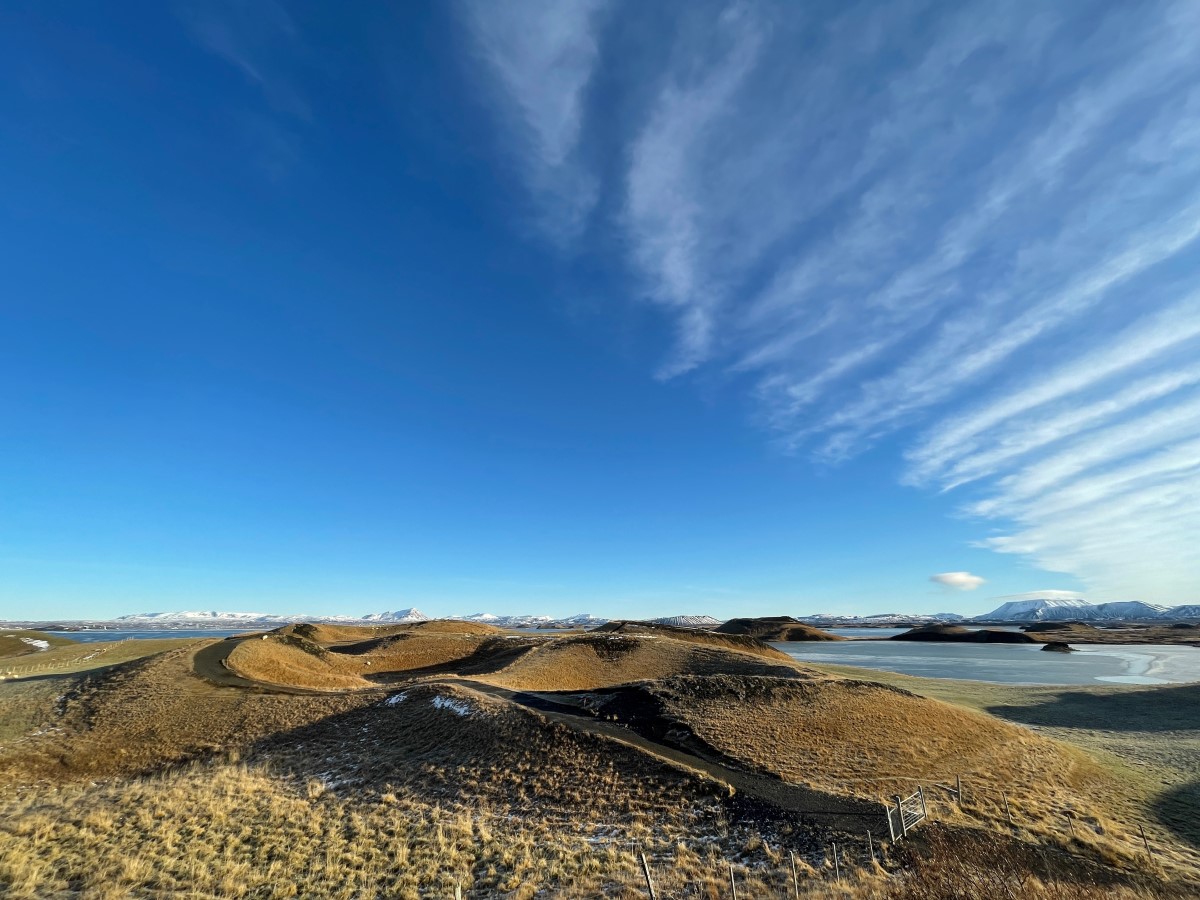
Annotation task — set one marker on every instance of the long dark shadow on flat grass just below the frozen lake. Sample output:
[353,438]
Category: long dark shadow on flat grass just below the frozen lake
[1169,709]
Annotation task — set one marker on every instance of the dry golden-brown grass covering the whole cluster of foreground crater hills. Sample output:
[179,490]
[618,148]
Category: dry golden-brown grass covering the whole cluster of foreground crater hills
[152,781]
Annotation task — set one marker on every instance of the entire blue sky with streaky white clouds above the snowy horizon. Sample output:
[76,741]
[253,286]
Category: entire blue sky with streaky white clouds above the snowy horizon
[634,309]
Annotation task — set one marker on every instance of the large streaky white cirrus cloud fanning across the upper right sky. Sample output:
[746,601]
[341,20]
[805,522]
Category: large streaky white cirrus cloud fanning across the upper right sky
[968,235]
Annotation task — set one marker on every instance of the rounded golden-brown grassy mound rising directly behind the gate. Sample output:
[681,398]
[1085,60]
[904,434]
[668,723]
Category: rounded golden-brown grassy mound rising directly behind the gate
[856,737]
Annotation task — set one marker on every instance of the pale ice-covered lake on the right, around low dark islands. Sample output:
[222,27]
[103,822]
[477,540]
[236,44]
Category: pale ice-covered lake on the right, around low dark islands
[1010,664]
